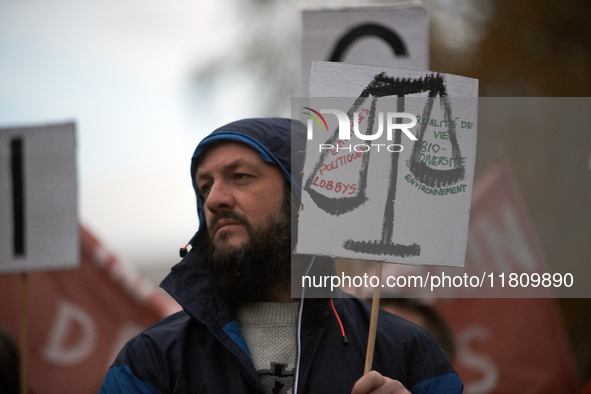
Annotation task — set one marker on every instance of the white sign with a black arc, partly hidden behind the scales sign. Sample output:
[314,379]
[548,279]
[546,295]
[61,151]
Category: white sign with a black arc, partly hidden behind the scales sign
[385,35]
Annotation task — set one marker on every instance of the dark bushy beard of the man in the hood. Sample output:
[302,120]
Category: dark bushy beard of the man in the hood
[252,271]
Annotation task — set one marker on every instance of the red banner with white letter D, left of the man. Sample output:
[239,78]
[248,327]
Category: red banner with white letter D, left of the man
[79,319]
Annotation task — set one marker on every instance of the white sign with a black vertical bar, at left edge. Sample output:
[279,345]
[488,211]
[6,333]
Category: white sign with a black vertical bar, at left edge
[38,195]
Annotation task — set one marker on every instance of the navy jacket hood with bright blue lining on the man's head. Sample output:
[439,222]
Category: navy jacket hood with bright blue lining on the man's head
[279,141]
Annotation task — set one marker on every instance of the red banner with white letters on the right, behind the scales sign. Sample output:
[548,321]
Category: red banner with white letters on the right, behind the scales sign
[507,345]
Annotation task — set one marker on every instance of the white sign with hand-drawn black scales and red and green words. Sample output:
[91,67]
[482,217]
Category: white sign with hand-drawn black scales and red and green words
[396,194]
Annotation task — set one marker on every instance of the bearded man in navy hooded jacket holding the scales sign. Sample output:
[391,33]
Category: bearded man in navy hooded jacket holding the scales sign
[241,328]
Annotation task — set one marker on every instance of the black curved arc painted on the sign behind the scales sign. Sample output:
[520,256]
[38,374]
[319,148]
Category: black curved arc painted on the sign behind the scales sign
[389,36]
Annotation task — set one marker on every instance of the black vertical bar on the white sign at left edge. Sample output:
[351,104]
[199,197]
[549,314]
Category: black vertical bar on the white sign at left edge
[18,195]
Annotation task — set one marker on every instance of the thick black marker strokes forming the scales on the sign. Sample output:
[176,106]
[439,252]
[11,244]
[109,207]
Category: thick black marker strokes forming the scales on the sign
[382,86]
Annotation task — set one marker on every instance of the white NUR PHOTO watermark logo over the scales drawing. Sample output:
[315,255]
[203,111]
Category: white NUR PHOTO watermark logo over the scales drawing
[348,127]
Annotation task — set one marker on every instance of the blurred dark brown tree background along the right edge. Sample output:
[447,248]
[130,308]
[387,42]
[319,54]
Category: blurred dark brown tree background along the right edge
[538,48]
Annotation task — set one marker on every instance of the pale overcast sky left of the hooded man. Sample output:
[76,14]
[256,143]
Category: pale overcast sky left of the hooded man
[120,71]
